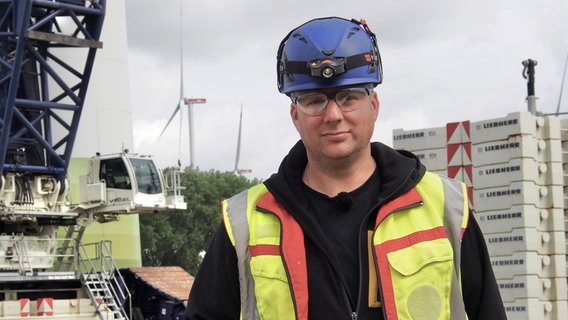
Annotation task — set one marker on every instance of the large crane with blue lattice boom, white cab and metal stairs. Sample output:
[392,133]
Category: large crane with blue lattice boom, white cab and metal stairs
[45,271]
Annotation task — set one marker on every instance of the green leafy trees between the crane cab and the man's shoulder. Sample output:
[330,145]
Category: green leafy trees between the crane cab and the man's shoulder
[176,238]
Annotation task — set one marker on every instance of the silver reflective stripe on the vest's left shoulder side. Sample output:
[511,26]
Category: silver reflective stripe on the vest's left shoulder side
[237,213]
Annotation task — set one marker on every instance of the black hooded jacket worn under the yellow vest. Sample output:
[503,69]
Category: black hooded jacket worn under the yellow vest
[336,289]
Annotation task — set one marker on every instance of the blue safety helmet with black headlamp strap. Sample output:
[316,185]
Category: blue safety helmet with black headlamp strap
[328,52]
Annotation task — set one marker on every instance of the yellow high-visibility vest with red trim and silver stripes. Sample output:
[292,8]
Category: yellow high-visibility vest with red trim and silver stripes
[415,247]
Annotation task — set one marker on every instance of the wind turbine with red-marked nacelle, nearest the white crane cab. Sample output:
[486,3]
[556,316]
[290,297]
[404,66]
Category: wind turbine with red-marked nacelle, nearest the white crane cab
[184,101]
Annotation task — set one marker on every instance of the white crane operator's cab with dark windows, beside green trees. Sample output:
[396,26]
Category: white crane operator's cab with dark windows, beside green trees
[128,183]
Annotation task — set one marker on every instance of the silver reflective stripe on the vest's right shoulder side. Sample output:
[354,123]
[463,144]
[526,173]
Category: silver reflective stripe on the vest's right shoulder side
[453,217]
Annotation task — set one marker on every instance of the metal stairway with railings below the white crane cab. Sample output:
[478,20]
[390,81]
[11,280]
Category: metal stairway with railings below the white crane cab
[105,286]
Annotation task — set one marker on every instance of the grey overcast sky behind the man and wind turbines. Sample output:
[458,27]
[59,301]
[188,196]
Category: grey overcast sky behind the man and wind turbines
[444,61]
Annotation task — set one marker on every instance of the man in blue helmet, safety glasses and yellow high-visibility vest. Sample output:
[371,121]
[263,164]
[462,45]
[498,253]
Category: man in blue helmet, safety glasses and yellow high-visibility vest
[347,229]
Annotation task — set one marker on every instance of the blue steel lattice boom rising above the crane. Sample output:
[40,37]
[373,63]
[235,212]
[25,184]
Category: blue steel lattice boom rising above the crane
[37,95]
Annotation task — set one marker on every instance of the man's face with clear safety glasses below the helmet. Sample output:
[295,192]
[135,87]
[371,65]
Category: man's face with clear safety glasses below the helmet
[336,134]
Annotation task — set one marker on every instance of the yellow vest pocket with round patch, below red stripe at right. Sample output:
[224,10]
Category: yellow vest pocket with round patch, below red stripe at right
[421,277]
